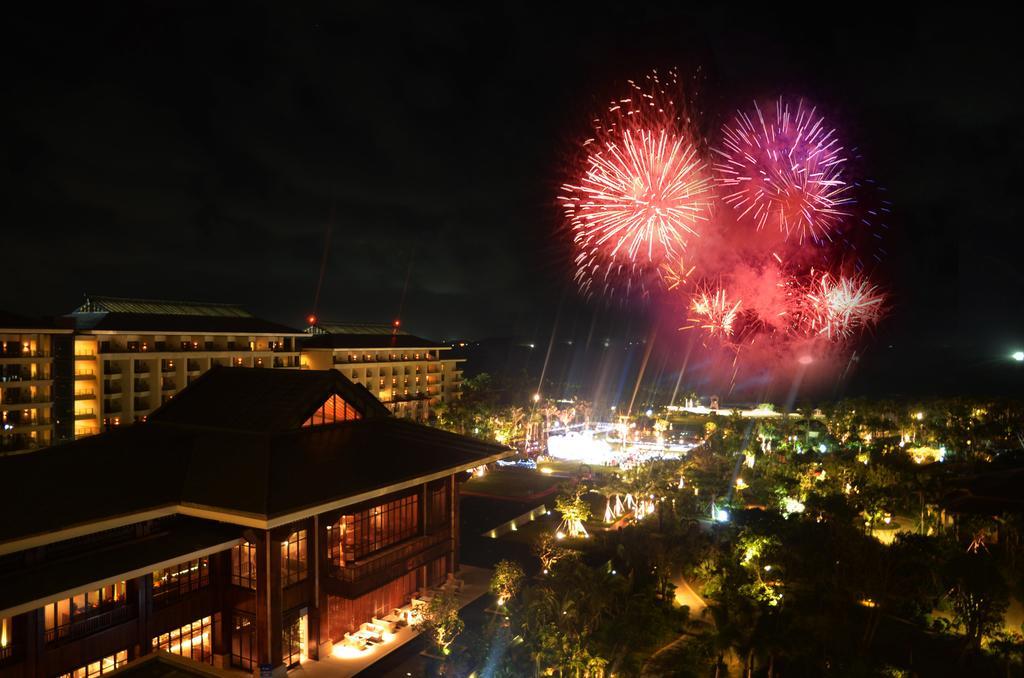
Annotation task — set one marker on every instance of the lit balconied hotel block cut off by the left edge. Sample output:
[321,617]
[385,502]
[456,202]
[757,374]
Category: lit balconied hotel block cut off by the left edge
[35,362]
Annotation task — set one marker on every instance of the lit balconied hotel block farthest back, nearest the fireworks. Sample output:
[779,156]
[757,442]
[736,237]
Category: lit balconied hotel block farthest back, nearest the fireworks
[411,375]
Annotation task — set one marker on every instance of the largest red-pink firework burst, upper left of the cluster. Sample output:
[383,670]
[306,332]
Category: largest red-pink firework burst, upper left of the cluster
[642,195]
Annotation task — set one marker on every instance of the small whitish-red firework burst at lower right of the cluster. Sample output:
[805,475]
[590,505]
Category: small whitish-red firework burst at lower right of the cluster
[839,307]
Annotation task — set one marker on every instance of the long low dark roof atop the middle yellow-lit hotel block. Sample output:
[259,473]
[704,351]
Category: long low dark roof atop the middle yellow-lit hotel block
[175,323]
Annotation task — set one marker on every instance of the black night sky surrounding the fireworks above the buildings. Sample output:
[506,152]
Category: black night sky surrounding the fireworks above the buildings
[174,152]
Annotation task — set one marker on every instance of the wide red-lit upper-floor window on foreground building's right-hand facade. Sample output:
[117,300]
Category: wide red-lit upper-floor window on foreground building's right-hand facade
[379,527]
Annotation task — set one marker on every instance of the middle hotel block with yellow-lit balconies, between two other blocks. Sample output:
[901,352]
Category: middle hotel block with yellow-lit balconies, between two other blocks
[132,356]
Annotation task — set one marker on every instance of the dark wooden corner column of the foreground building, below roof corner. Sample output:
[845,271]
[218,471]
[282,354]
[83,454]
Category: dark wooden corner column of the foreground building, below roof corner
[269,618]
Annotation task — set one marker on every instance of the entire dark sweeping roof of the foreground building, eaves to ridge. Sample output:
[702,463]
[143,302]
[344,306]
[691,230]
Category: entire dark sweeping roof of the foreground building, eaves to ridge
[226,460]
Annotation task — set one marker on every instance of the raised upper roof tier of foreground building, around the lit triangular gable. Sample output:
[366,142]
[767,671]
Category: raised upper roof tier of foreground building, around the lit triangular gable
[262,401]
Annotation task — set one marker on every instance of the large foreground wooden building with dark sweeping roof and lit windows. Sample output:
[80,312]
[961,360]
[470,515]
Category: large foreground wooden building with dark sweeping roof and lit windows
[254,522]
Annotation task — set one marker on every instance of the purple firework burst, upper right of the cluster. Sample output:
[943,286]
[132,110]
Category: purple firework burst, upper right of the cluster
[784,169]
